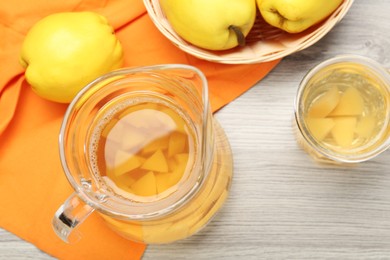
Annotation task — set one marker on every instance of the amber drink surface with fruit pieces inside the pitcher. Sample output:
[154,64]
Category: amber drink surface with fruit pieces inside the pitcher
[145,149]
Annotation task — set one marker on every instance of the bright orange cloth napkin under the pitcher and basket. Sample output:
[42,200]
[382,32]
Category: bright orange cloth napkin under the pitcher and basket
[32,183]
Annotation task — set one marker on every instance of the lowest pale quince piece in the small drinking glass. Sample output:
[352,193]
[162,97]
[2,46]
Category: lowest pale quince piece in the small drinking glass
[343,131]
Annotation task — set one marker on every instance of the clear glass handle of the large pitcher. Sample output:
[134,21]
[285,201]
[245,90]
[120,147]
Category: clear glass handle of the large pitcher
[70,214]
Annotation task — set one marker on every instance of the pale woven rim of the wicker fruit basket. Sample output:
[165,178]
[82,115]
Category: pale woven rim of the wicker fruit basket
[236,56]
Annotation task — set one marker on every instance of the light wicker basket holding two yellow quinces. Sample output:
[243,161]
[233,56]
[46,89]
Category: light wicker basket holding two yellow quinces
[265,44]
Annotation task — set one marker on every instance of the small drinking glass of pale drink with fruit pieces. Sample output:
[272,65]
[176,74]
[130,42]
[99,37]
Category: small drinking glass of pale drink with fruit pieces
[342,110]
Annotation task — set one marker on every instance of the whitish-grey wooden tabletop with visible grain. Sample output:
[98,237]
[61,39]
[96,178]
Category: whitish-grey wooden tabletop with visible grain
[282,204]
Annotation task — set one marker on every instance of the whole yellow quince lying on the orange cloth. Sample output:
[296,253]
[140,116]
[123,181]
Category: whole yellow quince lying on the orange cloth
[65,51]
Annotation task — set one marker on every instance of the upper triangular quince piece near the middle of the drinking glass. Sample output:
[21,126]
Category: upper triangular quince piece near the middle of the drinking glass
[351,104]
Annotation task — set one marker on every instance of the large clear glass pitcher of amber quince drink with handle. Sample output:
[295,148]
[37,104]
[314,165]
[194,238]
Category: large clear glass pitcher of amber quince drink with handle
[141,148]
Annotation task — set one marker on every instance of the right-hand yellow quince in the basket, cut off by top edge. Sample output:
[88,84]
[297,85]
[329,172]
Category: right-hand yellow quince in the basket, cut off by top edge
[295,16]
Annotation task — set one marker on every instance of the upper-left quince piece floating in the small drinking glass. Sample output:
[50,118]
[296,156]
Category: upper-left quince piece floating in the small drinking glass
[322,106]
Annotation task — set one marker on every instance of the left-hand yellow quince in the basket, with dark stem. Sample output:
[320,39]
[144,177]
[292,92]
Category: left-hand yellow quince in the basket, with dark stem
[211,24]
